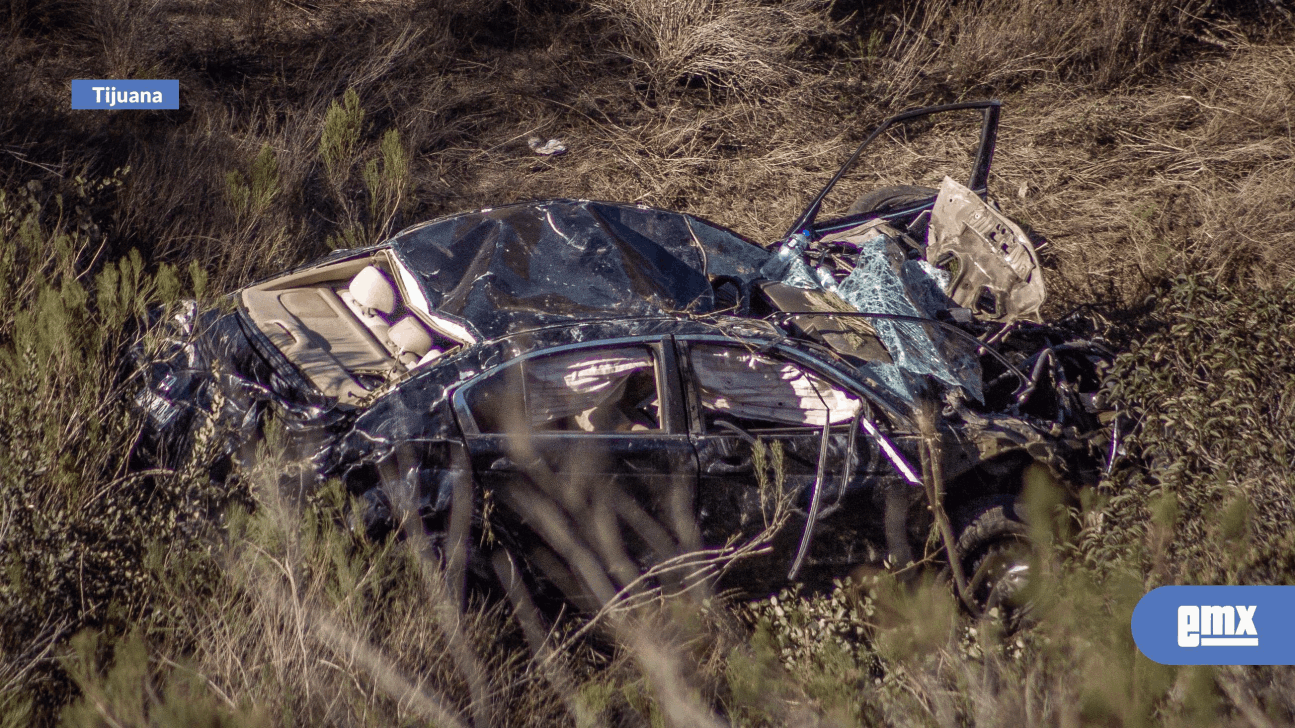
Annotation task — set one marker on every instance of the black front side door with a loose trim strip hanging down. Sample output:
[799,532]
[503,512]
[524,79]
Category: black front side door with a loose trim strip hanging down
[743,400]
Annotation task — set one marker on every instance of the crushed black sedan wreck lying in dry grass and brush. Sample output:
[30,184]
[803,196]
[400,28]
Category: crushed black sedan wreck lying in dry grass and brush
[596,398]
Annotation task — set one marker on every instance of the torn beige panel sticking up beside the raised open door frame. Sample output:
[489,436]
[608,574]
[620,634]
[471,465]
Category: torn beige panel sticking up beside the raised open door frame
[994,266]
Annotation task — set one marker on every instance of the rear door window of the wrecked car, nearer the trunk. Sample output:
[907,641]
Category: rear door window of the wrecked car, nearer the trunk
[602,391]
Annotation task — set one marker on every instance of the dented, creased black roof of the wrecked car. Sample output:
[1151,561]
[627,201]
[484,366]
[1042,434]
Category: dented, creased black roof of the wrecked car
[525,266]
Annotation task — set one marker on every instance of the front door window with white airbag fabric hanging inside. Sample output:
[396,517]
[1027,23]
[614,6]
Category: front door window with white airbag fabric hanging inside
[758,392]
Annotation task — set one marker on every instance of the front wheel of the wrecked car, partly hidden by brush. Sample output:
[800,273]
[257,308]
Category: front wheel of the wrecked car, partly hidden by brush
[997,555]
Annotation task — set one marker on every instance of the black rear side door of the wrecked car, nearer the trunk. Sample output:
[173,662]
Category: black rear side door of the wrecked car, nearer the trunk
[585,455]
